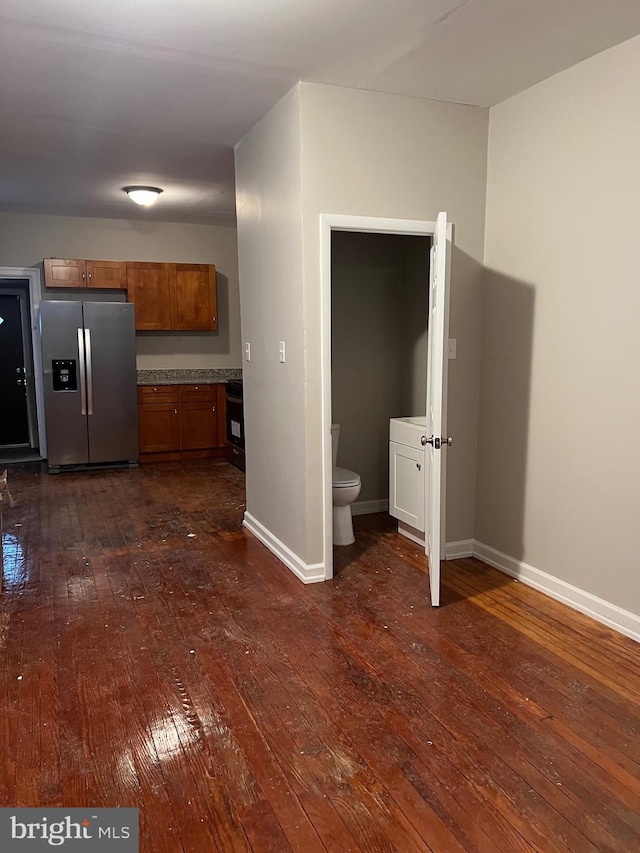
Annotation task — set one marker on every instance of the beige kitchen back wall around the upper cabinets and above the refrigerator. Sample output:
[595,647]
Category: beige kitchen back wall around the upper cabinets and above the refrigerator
[26,239]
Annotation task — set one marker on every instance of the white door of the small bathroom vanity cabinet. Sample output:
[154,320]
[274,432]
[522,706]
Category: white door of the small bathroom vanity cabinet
[407,484]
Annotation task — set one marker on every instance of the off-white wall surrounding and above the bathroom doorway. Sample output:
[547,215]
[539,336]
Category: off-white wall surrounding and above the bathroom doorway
[372,154]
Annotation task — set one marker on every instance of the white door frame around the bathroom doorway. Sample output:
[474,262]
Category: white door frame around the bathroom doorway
[372,225]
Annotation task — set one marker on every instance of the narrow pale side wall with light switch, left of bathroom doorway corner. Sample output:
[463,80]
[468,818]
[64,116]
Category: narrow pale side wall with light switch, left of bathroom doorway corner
[271,290]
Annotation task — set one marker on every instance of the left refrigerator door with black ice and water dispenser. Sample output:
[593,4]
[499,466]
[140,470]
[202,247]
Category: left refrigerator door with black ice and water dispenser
[67,439]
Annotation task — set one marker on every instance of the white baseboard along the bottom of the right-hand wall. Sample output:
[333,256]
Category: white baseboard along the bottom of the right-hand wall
[615,617]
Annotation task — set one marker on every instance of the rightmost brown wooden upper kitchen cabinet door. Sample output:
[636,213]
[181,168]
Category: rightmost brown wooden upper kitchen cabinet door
[193,297]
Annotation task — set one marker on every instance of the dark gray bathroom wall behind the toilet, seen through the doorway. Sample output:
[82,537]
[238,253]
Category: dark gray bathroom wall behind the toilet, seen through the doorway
[379,303]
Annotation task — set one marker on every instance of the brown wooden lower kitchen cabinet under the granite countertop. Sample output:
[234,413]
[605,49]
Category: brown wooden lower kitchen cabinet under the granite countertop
[181,421]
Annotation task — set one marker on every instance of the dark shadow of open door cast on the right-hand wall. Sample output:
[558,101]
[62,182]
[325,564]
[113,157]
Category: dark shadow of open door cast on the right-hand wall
[503,429]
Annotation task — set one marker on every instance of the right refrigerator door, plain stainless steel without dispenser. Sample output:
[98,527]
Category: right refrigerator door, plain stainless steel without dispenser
[110,345]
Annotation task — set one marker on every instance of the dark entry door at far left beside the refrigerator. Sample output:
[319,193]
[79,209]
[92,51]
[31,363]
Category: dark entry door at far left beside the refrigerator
[14,423]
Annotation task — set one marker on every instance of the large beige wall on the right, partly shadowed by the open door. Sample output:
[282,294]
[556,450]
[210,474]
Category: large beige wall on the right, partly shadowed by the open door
[559,456]
